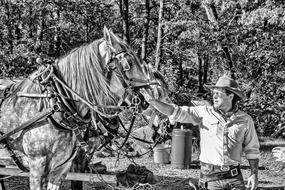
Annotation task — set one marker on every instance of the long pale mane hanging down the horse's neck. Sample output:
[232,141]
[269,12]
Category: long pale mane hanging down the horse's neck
[82,69]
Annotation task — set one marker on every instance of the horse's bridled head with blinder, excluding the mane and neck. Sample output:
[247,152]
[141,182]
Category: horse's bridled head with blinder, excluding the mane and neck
[125,73]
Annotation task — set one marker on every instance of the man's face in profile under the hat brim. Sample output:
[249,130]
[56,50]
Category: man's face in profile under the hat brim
[221,100]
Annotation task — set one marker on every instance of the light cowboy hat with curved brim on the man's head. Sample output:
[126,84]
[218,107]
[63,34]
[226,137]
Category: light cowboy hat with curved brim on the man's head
[229,84]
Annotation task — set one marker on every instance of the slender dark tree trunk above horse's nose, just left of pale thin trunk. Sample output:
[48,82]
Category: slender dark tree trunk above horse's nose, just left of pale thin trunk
[146,28]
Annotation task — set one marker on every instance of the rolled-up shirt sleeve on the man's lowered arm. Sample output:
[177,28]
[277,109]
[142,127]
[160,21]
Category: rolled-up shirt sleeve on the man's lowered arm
[251,143]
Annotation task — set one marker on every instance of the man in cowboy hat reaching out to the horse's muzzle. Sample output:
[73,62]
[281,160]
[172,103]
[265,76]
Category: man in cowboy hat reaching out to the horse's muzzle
[225,134]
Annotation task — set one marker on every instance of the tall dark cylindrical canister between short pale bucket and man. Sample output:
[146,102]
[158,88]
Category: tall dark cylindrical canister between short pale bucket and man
[181,148]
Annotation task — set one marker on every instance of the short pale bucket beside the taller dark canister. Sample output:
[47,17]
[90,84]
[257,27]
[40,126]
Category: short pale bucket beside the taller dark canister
[161,154]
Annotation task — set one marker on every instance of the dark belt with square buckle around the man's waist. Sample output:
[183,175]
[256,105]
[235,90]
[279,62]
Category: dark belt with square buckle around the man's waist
[219,172]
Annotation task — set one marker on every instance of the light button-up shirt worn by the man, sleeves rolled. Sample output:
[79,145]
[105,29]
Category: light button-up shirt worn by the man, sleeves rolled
[223,139]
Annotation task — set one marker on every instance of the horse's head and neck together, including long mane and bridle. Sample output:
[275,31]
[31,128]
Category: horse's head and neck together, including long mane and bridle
[107,73]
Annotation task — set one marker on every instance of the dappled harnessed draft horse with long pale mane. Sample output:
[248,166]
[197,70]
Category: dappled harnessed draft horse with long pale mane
[42,116]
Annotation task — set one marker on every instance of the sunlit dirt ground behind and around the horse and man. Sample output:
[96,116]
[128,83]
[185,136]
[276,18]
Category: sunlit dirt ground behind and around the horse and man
[271,174]
